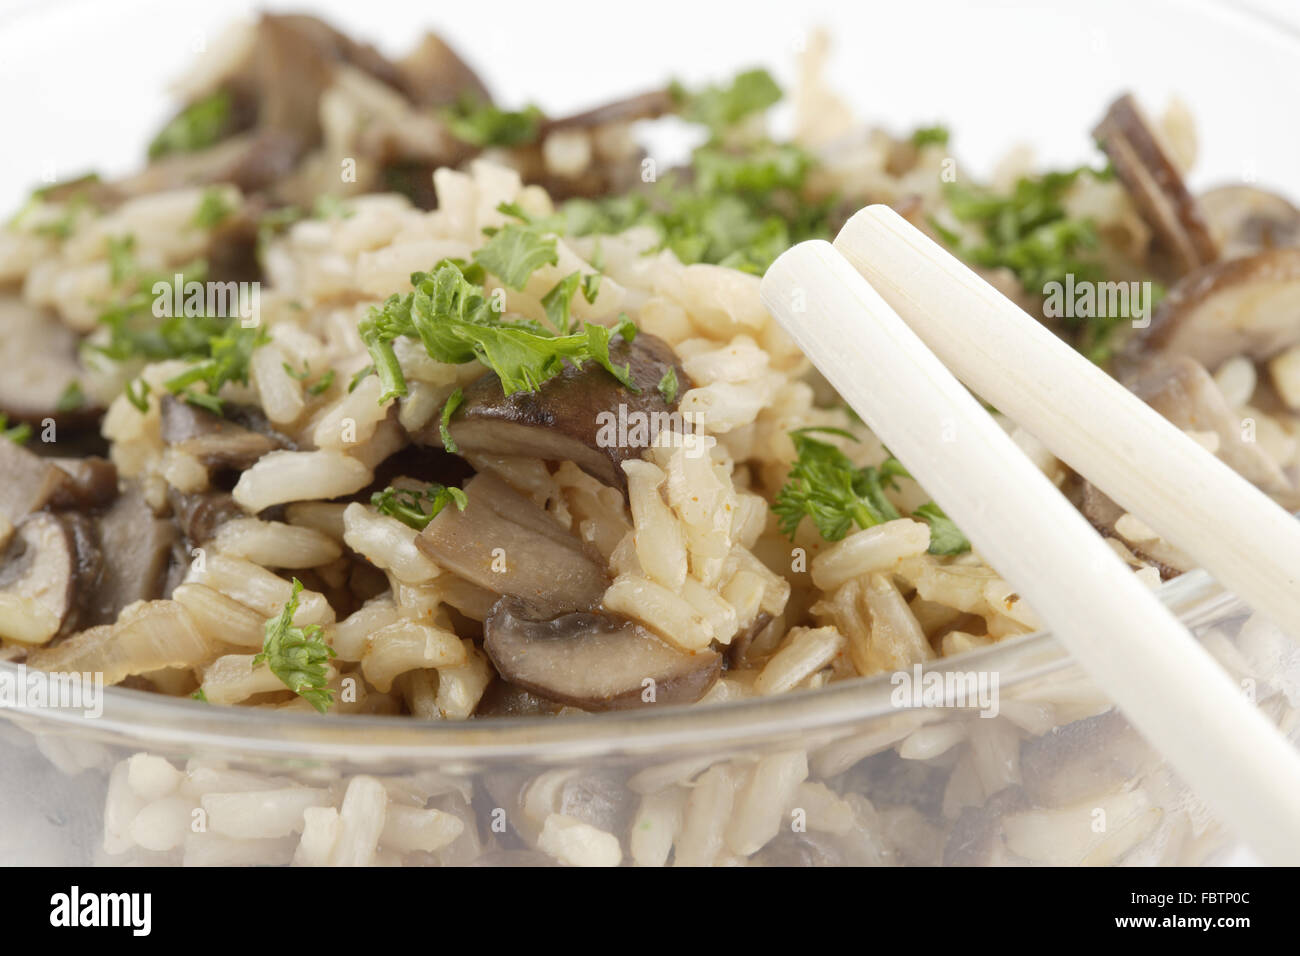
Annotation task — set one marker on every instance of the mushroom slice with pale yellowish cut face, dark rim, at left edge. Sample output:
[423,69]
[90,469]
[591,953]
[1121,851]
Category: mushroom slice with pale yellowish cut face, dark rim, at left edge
[38,574]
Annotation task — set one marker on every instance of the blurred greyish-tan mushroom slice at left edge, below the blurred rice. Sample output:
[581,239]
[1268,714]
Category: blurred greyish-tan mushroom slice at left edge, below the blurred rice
[32,391]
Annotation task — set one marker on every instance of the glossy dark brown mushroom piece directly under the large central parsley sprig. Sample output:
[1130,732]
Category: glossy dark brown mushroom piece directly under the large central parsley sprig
[569,418]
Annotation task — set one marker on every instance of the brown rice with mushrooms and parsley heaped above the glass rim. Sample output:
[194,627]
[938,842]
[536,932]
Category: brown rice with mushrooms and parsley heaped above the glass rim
[369,395]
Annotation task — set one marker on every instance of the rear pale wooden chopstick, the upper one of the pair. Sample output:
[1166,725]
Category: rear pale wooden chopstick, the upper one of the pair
[1087,419]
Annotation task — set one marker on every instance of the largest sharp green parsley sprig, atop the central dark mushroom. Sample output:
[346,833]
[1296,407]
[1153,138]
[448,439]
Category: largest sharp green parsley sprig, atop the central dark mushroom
[456,322]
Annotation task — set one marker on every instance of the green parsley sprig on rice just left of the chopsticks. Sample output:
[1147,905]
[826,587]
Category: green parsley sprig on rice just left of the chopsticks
[826,487]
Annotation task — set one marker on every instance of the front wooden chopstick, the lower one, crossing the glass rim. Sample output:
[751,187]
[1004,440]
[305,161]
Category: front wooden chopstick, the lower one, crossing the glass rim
[1168,686]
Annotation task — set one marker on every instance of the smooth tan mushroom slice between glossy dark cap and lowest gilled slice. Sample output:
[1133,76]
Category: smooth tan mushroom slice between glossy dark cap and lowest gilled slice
[504,543]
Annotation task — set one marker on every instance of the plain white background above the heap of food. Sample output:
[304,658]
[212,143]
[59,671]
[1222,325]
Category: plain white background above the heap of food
[83,83]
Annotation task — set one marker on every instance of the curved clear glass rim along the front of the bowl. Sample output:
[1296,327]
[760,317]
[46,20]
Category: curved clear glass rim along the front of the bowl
[148,719]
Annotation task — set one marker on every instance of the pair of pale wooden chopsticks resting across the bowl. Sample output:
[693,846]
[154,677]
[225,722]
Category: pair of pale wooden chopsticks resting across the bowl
[886,314]
